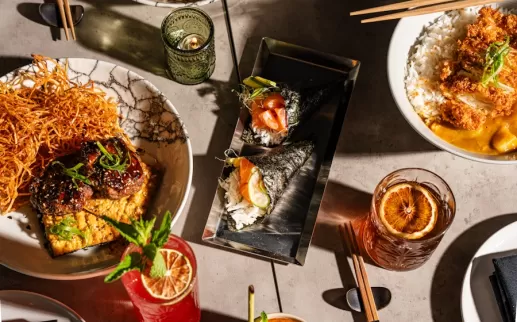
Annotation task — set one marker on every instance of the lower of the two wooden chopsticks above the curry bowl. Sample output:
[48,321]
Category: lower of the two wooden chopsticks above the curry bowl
[438,8]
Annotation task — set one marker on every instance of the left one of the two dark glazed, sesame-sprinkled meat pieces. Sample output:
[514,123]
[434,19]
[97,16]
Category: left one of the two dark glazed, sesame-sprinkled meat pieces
[55,193]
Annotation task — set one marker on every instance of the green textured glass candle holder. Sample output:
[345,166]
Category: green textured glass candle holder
[188,37]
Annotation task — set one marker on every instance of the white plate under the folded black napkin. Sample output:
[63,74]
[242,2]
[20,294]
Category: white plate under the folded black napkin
[478,302]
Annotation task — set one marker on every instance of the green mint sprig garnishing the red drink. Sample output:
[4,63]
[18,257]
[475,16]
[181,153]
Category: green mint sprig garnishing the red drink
[141,233]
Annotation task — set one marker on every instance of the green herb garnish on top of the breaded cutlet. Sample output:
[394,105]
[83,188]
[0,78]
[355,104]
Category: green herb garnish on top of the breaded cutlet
[494,61]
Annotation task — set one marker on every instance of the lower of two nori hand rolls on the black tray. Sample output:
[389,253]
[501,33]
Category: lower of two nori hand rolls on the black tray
[257,182]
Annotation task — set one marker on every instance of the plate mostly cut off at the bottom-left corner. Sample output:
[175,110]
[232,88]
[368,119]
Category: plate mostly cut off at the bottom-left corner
[33,307]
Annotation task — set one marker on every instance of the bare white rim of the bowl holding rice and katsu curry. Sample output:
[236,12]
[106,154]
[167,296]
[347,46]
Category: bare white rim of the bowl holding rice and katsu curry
[403,38]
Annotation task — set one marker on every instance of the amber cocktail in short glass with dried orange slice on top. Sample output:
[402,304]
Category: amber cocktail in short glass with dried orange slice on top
[410,212]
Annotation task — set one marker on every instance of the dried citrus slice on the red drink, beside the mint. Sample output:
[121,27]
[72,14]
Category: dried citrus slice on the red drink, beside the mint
[176,280]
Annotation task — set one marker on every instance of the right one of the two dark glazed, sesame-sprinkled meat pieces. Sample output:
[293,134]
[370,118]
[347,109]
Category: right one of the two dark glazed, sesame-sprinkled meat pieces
[115,184]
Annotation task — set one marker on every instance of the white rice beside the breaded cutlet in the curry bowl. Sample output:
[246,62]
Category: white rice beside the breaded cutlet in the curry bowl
[437,43]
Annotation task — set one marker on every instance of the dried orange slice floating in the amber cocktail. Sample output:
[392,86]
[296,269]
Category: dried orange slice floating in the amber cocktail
[408,210]
